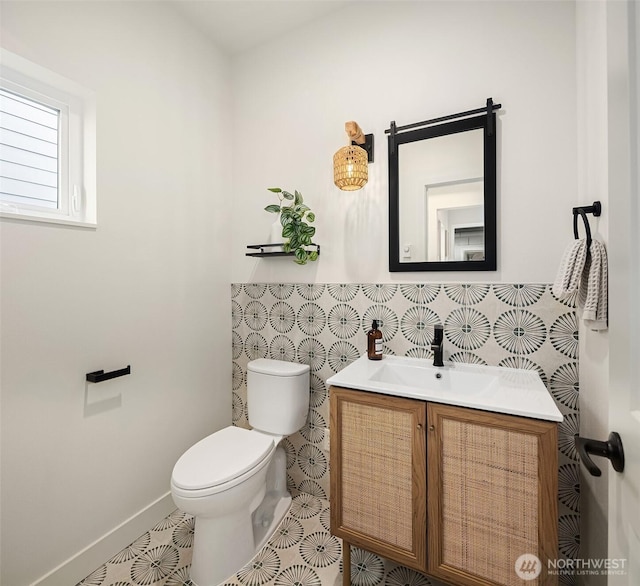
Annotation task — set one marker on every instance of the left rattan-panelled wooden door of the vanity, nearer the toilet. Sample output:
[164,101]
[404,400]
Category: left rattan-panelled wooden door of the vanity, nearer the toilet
[378,474]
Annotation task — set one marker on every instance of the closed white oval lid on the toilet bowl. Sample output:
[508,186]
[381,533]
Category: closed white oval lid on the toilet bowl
[221,457]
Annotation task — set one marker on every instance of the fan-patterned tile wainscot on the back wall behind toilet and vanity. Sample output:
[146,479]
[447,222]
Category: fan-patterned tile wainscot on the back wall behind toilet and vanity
[324,325]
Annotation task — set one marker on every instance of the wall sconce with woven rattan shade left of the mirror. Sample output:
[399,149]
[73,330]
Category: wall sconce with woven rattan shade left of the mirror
[350,163]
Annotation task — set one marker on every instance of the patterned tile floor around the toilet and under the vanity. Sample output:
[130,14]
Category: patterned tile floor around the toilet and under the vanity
[301,552]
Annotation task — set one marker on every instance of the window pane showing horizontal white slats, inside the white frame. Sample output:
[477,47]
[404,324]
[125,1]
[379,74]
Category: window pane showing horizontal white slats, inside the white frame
[28,151]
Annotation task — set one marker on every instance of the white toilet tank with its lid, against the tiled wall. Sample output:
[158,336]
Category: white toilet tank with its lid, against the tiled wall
[277,395]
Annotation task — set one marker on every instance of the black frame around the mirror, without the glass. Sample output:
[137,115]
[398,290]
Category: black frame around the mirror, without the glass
[486,122]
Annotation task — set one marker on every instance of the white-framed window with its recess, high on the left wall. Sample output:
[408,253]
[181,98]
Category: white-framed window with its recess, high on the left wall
[47,145]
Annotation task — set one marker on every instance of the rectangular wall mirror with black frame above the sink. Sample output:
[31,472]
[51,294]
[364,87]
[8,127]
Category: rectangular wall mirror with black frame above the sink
[442,196]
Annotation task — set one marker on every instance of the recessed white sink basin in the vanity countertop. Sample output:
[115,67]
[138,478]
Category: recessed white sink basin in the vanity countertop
[426,377]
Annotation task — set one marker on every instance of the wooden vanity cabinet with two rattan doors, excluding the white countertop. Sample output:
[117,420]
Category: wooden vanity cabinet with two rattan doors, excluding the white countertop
[486,496]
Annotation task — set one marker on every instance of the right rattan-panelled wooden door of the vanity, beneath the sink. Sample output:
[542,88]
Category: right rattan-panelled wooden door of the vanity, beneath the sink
[492,482]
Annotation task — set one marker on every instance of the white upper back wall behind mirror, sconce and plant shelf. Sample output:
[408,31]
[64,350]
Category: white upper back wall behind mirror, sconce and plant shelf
[407,61]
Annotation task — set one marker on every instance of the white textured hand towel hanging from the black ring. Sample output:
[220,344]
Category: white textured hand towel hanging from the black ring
[588,275]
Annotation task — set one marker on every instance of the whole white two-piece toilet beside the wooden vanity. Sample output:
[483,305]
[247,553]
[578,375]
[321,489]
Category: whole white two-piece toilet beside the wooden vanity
[234,481]
